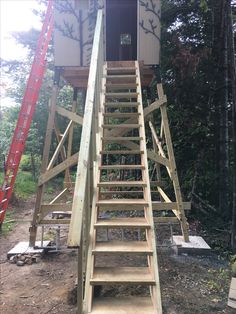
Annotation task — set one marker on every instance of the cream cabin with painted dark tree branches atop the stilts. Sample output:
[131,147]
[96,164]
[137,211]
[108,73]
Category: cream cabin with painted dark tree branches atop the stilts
[131,28]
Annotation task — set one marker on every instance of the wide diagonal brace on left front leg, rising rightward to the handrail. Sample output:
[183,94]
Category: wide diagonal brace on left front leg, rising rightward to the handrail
[48,175]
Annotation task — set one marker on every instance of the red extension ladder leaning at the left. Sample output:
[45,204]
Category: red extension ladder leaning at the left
[26,112]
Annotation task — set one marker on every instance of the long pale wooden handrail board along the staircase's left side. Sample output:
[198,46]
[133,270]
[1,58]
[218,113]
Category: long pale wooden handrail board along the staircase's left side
[92,100]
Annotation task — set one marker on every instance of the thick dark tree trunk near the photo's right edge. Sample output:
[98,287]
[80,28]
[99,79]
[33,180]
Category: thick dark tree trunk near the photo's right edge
[220,55]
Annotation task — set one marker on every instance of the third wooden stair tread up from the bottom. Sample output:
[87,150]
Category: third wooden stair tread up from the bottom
[118,247]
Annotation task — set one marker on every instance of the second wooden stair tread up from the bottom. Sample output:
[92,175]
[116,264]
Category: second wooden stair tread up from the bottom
[128,275]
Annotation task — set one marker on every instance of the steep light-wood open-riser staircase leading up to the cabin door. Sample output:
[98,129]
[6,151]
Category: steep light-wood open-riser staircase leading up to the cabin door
[122,245]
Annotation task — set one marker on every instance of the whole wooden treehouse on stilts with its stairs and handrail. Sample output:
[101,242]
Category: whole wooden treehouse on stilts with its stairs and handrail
[113,185]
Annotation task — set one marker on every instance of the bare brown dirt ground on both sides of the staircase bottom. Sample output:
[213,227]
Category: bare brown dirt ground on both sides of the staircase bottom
[189,284]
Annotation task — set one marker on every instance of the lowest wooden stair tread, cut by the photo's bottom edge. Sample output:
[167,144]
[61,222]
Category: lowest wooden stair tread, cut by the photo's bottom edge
[126,305]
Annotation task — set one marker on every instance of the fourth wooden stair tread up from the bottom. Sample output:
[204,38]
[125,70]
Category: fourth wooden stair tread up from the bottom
[135,222]
